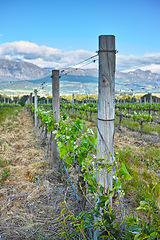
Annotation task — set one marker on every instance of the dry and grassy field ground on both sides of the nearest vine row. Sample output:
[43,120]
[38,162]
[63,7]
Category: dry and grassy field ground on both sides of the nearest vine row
[31,190]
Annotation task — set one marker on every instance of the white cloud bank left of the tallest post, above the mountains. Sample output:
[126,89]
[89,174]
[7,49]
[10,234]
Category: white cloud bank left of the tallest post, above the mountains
[43,56]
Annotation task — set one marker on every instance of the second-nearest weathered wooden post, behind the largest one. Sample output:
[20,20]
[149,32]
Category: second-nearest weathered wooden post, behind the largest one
[56,115]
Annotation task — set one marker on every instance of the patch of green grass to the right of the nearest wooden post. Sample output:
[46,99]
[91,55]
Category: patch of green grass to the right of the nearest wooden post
[142,164]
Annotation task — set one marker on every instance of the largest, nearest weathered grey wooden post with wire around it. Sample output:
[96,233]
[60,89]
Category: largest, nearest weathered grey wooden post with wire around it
[106,109]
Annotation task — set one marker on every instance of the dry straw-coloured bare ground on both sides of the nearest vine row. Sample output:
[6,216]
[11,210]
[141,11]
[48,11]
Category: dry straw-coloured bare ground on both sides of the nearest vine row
[31,192]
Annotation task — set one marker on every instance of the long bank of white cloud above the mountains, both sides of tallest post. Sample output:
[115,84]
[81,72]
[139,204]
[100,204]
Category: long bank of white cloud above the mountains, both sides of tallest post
[44,56]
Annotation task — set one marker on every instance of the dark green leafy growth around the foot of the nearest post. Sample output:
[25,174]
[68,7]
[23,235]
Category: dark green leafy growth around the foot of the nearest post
[109,226]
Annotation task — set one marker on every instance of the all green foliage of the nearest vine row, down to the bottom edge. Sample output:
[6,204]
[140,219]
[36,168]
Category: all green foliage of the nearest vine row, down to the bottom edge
[75,144]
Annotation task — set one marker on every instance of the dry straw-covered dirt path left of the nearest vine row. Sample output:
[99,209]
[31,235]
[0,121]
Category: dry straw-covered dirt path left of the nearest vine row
[31,194]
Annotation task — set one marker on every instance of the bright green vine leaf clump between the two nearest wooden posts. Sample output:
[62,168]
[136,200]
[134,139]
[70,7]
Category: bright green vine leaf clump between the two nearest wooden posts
[72,142]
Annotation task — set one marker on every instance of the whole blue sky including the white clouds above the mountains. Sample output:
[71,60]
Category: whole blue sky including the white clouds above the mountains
[59,34]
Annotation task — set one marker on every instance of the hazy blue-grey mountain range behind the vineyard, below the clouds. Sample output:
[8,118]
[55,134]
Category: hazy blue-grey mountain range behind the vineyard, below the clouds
[22,77]
